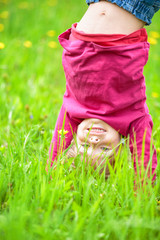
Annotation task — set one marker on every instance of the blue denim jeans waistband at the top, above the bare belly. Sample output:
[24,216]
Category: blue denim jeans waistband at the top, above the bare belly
[142,9]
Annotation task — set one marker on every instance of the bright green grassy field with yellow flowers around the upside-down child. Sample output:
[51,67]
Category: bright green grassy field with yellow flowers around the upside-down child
[75,204]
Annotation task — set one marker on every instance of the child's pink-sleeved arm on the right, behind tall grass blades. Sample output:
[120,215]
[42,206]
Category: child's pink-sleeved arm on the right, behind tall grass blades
[142,148]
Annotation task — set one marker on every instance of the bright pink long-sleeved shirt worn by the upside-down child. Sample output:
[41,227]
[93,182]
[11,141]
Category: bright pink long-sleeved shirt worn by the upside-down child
[106,82]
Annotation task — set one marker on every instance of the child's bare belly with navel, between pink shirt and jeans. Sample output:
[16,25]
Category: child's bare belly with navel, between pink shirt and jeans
[108,18]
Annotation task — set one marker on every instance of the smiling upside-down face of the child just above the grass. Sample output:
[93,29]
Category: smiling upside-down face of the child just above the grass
[97,139]
